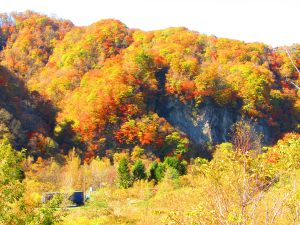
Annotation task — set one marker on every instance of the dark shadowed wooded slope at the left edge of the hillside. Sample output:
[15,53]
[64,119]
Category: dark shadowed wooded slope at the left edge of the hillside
[23,112]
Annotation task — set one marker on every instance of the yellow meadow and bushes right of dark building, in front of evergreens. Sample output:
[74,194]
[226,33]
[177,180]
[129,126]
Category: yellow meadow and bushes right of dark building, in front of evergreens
[233,188]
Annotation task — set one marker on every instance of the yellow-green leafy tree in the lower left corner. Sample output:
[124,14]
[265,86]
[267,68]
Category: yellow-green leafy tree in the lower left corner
[13,209]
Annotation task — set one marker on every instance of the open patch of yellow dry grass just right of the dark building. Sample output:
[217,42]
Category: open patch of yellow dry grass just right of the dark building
[143,204]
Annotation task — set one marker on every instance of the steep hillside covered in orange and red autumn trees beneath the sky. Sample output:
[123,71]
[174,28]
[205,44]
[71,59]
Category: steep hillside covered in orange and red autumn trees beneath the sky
[106,87]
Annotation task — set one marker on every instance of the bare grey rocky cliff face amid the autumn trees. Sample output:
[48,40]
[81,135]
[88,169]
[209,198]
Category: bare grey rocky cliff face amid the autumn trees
[208,123]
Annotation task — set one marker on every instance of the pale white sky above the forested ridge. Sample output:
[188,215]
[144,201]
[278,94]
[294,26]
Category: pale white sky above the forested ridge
[274,22]
